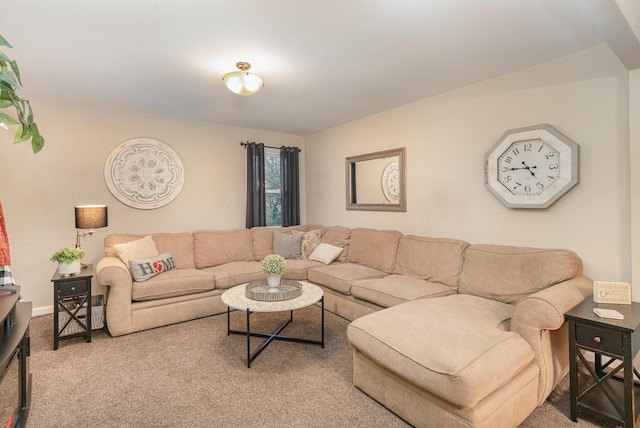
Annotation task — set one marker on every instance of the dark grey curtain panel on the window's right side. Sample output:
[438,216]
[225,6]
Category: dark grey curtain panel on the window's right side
[289,169]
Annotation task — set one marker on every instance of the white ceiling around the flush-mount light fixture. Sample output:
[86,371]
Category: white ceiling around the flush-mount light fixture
[325,62]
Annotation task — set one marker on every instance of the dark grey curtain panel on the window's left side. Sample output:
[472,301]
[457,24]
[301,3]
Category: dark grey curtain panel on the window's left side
[256,213]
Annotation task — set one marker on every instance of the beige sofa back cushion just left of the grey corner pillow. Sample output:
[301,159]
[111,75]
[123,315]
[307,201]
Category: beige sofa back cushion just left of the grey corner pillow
[216,247]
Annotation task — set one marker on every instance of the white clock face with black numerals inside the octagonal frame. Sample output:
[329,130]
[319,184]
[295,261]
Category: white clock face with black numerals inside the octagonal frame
[529,167]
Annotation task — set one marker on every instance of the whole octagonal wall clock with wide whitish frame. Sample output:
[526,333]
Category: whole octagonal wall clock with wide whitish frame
[532,167]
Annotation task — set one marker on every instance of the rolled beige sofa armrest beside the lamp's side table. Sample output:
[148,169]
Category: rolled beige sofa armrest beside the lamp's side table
[112,272]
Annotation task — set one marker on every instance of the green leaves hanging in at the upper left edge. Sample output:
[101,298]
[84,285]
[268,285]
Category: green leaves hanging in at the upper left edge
[9,83]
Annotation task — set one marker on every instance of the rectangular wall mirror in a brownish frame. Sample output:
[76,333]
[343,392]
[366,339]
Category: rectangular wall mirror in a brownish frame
[376,181]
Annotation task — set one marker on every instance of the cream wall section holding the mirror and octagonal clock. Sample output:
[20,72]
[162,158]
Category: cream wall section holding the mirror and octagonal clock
[584,96]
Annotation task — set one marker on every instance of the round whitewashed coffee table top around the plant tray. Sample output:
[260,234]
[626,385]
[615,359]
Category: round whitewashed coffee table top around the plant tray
[236,299]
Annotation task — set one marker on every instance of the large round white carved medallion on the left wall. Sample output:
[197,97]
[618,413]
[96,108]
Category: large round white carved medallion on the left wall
[144,173]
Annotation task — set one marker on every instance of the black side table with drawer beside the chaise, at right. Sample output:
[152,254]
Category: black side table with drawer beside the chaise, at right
[612,390]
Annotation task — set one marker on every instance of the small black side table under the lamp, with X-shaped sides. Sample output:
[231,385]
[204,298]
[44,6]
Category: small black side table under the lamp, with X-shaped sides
[72,300]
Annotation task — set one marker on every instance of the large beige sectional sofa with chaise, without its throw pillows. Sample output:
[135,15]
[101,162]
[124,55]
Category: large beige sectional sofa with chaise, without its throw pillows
[444,333]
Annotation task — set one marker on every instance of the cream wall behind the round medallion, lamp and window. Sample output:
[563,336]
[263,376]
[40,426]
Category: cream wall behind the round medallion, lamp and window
[39,192]
